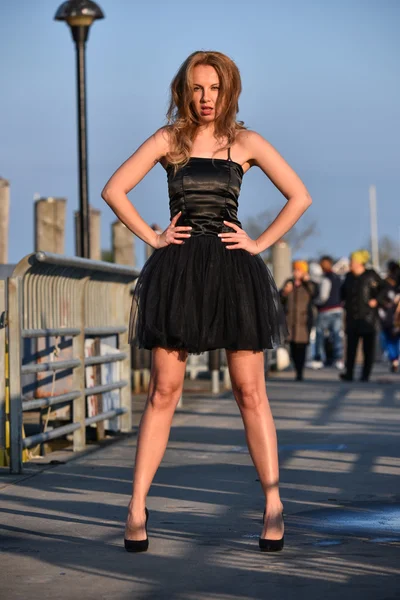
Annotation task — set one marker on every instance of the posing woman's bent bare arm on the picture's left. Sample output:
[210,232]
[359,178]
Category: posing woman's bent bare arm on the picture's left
[126,177]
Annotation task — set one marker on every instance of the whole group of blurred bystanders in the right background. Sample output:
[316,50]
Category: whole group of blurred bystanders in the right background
[334,312]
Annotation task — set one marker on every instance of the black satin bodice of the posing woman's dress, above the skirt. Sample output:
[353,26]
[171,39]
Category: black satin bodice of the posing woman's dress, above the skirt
[206,190]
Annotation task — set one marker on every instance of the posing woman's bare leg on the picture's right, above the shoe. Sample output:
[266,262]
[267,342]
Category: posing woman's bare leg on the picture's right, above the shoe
[246,369]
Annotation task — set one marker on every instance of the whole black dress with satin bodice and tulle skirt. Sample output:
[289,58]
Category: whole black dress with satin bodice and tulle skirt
[199,296]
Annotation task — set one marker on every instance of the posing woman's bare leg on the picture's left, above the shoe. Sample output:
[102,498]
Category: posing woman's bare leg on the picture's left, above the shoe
[165,389]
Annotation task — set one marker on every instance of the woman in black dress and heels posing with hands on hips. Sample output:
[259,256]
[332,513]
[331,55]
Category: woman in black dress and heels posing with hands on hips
[206,286]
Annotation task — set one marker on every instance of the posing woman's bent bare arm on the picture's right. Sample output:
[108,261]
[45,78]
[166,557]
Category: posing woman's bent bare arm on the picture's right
[264,155]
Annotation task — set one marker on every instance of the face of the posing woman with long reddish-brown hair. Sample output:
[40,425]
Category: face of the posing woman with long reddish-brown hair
[205,92]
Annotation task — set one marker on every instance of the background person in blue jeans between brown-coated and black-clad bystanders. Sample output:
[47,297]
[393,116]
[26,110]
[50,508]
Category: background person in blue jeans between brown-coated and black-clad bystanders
[330,316]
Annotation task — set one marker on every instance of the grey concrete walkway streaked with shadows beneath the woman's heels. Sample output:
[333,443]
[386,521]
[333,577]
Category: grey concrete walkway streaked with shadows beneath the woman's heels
[62,525]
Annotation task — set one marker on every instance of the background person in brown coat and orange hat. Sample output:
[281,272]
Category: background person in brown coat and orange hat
[297,297]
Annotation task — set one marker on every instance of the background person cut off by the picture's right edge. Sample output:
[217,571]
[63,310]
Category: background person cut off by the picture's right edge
[389,316]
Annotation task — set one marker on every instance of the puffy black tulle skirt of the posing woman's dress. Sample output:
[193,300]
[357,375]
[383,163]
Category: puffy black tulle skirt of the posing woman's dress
[200,296]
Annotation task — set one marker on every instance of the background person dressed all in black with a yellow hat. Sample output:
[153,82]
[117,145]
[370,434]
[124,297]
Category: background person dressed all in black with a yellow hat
[362,292]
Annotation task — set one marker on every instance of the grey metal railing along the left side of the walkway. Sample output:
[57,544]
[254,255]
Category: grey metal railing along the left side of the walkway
[59,302]
